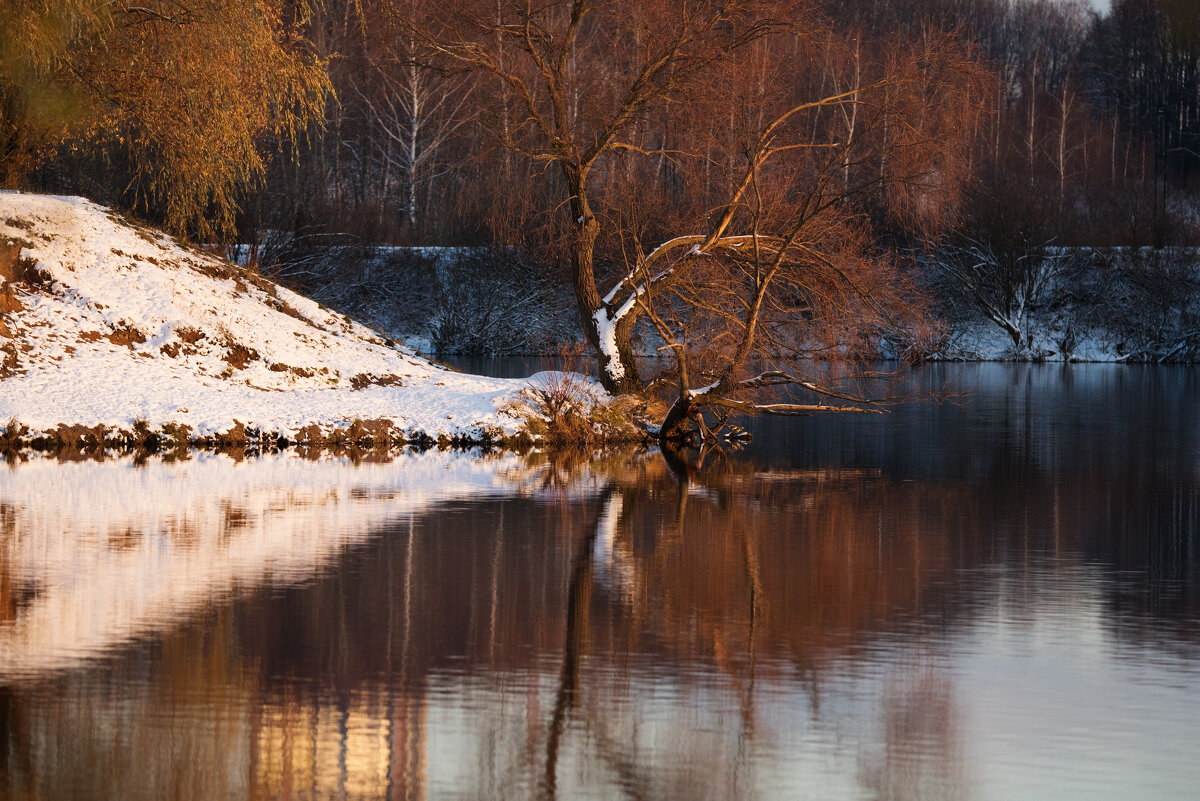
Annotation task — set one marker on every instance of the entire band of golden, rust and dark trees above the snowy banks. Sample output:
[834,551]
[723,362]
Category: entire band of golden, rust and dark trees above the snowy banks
[745,186]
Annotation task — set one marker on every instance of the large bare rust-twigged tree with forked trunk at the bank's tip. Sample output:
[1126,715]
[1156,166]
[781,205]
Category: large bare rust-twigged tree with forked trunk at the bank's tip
[721,165]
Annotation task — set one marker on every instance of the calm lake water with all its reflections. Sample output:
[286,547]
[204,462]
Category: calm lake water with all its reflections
[995,599]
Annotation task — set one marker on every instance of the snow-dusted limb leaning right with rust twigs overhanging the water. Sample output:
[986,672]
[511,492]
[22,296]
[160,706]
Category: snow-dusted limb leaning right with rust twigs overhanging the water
[783,298]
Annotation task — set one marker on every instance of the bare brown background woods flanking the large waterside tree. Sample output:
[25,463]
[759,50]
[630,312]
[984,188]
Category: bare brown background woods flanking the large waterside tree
[1093,134]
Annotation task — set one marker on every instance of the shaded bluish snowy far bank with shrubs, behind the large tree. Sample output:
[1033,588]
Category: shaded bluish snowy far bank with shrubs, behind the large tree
[1031,303]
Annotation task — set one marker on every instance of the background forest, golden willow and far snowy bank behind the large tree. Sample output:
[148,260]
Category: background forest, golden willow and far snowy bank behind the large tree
[341,147]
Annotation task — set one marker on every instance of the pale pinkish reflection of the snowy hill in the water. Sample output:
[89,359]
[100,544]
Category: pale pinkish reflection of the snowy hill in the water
[99,553]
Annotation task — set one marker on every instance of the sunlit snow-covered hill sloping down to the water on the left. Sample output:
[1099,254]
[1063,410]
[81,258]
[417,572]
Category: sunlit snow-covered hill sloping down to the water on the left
[104,322]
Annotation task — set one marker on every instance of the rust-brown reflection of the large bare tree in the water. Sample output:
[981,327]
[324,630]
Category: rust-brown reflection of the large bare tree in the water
[763,576]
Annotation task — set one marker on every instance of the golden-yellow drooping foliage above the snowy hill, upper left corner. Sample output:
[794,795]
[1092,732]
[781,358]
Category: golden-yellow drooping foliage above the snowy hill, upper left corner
[187,92]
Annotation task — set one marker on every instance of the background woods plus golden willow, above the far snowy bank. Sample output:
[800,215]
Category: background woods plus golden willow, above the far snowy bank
[376,135]
